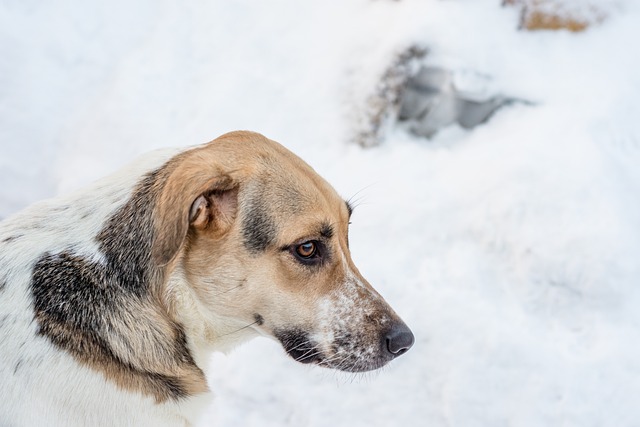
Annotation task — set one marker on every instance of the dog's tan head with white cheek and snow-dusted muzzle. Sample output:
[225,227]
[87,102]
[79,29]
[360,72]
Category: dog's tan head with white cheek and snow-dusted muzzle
[262,242]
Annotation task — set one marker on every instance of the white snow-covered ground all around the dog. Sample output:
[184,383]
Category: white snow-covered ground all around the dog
[512,251]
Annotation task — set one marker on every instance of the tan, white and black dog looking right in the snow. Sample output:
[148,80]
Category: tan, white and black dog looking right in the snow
[113,298]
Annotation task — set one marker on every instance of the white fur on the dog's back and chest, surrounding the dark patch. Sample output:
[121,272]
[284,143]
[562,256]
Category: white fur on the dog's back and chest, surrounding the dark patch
[58,390]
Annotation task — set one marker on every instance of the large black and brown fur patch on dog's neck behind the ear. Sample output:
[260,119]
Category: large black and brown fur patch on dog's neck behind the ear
[75,299]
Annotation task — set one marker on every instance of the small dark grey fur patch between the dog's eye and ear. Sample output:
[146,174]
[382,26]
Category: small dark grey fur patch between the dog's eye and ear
[258,228]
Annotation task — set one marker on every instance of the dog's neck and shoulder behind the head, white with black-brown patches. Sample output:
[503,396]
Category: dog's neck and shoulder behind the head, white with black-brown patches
[69,268]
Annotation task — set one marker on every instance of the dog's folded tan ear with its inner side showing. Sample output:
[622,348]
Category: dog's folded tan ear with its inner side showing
[192,202]
